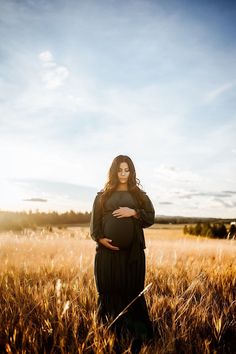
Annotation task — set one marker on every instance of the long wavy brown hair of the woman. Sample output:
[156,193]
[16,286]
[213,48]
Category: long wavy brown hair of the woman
[134,186]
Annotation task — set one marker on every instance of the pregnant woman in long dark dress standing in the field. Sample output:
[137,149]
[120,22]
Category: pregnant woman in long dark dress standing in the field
[120,212]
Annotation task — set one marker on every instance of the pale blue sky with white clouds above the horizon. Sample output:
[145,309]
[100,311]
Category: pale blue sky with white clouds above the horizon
[84,81]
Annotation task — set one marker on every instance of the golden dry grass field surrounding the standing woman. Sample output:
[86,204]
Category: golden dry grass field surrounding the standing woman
[48,296]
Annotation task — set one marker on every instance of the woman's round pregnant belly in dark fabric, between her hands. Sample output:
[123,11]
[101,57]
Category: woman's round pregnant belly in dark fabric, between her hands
[120,231]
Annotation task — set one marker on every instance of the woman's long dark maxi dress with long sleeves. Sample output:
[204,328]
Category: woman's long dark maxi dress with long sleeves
[120,275]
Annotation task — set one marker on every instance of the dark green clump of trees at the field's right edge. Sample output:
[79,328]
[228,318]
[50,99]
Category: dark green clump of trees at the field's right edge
[217,230]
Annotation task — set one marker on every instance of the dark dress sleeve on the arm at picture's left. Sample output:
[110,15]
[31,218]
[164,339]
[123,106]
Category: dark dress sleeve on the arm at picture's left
[96,219]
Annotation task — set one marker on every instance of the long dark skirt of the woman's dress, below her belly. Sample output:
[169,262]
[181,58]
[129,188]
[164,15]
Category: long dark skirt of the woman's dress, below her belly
[118,282]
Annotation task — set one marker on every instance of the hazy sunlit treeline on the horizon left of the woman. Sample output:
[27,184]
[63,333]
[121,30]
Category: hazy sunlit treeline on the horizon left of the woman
[17,221]
